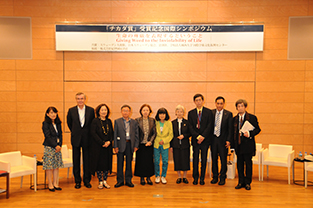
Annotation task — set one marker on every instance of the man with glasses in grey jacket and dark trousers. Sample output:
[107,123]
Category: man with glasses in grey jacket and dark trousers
[126,142]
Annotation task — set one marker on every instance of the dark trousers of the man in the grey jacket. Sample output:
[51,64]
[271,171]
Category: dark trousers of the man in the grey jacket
[120,164]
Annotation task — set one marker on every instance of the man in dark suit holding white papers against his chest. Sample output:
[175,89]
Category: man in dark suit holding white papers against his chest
[244,143]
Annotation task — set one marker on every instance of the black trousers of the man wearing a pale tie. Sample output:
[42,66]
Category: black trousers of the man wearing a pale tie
[218,148]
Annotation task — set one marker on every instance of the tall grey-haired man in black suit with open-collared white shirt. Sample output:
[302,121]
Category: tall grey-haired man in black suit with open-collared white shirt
[79,119]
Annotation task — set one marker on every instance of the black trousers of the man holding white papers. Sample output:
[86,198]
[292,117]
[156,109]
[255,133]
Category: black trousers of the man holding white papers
[244,174]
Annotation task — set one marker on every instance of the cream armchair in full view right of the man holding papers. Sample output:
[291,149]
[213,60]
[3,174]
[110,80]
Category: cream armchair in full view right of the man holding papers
[278,155]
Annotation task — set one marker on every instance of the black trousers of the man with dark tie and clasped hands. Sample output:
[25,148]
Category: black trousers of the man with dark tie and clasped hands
[203,150]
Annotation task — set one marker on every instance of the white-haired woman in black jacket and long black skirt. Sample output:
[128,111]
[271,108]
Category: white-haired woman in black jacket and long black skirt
[180,144]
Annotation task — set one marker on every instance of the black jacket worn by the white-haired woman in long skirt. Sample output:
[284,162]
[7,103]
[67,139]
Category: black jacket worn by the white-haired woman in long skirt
[175,143]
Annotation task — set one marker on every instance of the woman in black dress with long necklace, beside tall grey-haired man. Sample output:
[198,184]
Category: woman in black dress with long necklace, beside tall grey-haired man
[101,145]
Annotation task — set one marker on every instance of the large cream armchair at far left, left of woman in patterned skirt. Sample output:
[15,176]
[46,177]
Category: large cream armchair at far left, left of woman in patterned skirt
[18,165]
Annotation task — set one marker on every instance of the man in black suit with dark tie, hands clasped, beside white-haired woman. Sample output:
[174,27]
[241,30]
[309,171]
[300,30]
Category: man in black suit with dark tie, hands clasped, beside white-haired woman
[201,126]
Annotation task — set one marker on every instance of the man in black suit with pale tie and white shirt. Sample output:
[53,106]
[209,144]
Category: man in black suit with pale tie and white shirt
[222,135]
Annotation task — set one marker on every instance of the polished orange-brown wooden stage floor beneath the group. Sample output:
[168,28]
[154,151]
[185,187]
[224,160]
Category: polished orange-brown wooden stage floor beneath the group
[272,192]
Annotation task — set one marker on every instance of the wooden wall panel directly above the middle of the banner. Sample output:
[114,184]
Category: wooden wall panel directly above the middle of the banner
[159,11]
